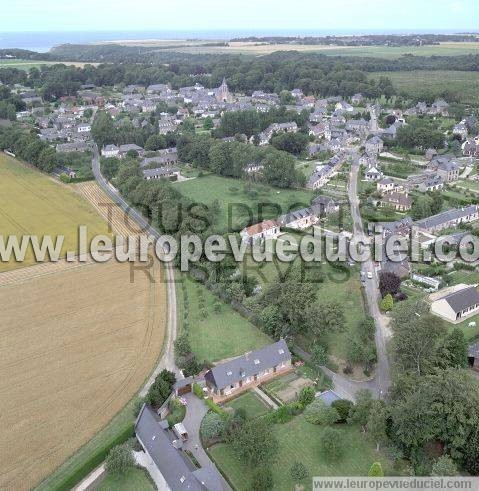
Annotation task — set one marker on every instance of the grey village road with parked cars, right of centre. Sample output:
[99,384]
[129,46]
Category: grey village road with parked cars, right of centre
[382,379]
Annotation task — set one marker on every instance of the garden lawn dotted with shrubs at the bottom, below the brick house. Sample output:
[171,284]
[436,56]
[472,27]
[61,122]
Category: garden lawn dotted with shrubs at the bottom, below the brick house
[299,442]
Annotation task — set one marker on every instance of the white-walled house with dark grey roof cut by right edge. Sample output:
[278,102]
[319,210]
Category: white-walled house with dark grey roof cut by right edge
[457,306]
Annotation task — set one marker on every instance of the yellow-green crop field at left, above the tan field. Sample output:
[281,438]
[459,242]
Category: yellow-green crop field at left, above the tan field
[33,204]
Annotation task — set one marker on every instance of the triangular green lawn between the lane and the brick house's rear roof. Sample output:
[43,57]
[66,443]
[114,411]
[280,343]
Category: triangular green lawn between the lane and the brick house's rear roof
[222,334]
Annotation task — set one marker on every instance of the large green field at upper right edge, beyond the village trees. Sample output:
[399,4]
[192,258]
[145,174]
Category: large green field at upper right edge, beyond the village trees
[419,81]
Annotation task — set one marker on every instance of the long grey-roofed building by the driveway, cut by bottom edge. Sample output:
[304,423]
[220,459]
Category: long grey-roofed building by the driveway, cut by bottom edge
[168,466]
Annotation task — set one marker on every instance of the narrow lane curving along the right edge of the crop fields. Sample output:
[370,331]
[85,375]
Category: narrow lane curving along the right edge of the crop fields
[167,359]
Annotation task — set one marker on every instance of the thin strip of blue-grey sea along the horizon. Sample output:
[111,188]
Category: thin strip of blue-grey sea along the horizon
[45,40]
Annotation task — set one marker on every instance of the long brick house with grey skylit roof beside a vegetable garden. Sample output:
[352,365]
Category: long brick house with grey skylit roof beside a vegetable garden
[228,379]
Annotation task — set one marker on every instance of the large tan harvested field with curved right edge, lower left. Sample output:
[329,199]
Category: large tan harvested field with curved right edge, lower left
[75,348]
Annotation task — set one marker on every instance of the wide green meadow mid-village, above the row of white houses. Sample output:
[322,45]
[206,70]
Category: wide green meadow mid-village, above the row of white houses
[241,202]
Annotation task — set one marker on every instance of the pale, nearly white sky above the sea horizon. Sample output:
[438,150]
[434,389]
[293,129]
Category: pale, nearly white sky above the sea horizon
[239,15]
